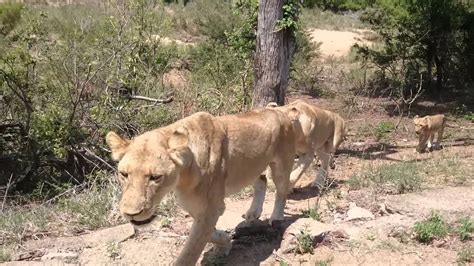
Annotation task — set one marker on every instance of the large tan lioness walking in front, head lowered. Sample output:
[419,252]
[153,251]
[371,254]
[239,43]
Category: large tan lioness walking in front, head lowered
[204,158]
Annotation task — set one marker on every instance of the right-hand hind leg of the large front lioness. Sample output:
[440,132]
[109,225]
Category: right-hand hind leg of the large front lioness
[281,172]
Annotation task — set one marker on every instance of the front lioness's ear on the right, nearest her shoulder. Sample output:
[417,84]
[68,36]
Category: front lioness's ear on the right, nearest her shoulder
[178,148]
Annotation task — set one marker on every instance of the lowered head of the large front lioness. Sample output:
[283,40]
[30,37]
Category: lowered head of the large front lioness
[149,167]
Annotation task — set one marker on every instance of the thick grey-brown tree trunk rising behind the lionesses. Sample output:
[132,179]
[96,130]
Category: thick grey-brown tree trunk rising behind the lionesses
[273,55]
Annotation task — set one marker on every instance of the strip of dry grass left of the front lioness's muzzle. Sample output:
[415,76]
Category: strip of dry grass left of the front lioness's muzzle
[90,209]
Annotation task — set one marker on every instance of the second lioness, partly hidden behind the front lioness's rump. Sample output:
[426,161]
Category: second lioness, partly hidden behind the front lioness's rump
[317,131]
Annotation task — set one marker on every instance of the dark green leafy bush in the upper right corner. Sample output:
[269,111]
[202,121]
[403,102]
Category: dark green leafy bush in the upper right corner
[426,43]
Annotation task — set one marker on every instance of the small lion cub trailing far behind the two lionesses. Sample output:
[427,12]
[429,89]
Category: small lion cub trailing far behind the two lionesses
[426,127]
